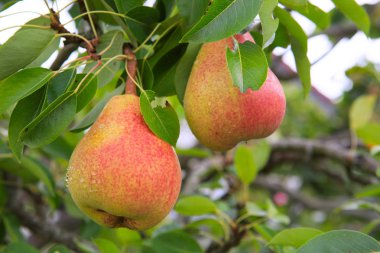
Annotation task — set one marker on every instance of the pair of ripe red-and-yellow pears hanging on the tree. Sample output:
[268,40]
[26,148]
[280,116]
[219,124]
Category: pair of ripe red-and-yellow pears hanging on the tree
[122,175]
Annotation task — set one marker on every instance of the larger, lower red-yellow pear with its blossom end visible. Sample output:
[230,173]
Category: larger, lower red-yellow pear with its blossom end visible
[121,174]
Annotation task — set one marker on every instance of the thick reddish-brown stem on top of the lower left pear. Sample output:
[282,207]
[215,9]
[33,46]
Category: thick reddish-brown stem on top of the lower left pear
[131,66]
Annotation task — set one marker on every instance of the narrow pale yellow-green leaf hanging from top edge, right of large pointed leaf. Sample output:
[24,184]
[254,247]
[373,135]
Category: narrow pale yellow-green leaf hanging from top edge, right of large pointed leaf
[268,24]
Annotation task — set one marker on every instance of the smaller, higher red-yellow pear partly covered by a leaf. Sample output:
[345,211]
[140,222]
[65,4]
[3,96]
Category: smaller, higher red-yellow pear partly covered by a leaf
[221,116]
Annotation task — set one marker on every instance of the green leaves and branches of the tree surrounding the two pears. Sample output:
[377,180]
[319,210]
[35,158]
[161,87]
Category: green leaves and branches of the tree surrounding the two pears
[238,201]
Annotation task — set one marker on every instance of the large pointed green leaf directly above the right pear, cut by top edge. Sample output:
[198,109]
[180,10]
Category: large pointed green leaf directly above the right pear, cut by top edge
[224,18]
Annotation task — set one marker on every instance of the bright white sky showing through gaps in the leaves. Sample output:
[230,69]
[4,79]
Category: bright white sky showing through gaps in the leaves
[327,75]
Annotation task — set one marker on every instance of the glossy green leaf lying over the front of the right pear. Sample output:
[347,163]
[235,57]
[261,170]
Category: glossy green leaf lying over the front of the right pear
[248,66]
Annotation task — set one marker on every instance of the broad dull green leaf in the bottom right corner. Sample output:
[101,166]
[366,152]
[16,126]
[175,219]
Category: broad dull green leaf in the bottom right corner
[341,241]
